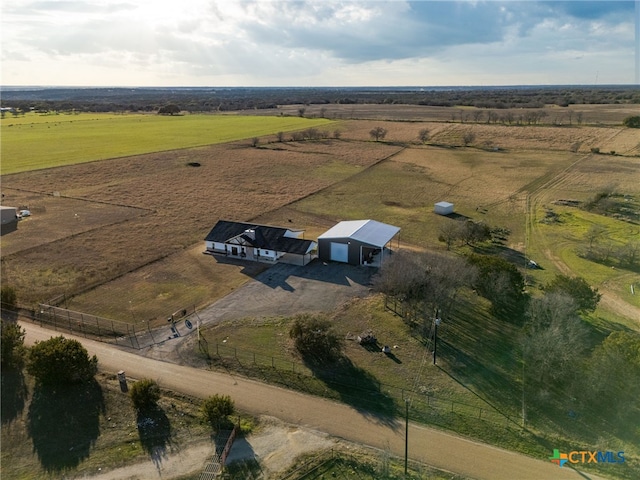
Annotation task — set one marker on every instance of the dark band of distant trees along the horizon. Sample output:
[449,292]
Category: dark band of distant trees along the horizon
[230,99]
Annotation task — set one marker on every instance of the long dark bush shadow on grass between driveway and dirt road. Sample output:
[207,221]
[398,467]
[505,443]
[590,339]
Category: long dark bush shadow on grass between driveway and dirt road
[355,387]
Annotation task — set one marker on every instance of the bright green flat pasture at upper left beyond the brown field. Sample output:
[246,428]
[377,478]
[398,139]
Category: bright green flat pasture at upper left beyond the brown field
[36,141]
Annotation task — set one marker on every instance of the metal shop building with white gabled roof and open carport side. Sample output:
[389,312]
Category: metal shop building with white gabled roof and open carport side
[357,242]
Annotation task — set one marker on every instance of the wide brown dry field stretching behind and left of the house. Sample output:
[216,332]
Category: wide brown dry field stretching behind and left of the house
[132,229]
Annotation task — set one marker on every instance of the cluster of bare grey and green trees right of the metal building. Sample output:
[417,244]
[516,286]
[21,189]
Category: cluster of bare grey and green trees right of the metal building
[562,356]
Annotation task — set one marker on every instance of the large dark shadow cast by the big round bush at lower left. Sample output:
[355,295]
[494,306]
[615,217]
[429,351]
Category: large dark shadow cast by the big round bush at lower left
[63,423]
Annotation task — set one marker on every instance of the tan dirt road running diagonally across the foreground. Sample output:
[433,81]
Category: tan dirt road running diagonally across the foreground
[436,448]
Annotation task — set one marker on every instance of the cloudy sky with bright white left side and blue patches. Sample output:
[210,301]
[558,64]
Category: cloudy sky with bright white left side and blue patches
[317,43]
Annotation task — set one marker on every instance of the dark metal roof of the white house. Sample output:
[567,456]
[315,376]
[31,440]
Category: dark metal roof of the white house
[265,237]
